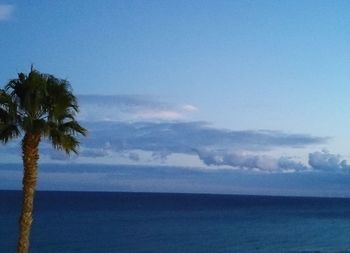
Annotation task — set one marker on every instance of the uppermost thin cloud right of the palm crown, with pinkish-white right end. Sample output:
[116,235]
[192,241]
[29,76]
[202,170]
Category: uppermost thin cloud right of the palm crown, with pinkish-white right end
[130,107]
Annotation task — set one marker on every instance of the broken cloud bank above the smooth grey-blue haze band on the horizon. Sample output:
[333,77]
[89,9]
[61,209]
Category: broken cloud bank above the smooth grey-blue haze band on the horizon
[144,130]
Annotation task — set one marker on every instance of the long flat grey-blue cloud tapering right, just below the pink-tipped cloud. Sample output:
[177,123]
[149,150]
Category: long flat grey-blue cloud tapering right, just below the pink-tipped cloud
[187,137]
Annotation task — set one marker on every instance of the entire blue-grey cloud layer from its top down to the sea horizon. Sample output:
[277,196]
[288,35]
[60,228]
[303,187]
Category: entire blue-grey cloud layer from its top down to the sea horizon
[155,152]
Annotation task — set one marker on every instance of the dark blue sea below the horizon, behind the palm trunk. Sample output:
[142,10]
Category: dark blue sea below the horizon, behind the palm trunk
[67,222]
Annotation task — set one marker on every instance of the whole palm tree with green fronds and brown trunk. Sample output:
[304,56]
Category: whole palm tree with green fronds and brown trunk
[37,106]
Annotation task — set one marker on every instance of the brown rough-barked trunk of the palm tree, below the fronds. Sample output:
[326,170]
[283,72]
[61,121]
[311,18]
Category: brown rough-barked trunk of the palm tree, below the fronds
[30,156]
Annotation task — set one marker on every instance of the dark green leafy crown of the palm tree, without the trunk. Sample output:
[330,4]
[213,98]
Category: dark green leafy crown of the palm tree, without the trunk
[41,104]
